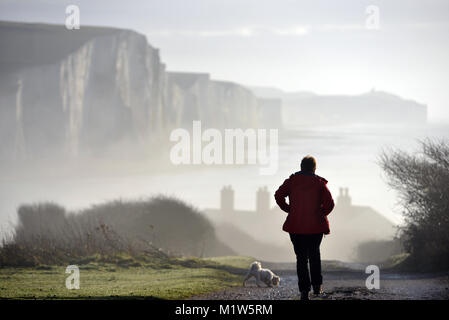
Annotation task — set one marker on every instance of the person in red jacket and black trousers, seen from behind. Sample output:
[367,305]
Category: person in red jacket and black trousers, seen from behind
[310,201]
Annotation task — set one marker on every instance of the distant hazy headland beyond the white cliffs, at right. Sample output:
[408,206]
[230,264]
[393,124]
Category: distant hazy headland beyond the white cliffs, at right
[373,107]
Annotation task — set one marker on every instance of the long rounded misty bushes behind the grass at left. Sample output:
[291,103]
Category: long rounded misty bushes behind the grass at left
[157,227]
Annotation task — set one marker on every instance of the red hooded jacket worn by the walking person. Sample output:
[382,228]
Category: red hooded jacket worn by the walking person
[310,201]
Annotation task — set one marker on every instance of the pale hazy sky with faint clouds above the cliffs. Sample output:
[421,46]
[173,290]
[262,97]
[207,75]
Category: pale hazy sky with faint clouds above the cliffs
[328,47]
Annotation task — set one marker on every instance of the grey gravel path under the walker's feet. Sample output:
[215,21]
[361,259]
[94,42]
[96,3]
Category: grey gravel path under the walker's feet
[344,285]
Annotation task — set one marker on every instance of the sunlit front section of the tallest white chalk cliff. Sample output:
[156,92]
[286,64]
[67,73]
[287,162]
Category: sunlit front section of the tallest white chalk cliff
[110,92]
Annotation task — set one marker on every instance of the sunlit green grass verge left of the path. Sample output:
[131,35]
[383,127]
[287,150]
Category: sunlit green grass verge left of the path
[126,278]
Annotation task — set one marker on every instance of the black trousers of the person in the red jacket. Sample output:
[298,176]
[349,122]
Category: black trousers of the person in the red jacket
[307,250]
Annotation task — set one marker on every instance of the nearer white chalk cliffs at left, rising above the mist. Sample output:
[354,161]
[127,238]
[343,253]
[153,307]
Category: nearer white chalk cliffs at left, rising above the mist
[97,89]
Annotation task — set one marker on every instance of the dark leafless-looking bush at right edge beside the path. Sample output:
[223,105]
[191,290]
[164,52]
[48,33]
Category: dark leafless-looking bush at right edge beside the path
[422,181]
